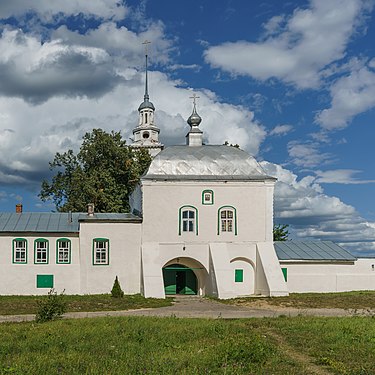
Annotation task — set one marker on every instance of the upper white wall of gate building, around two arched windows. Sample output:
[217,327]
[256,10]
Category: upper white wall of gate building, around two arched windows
[162,200]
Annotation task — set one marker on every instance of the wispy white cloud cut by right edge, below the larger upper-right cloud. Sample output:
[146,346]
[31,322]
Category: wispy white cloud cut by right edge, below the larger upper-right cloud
[351,95]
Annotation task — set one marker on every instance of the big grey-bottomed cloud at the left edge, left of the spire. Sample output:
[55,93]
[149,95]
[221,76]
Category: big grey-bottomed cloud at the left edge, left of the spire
[37,71]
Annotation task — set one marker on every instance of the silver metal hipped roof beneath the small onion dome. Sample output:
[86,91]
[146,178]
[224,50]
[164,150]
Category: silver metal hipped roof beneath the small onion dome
[208,162]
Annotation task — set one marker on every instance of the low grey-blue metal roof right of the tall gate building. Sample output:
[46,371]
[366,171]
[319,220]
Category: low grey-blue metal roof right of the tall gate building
[312,251]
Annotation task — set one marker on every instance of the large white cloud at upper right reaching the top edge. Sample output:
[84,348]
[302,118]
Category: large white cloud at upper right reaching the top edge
[296,49]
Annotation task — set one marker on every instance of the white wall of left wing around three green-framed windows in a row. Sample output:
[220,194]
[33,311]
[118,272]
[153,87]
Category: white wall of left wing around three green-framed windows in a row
[20,279]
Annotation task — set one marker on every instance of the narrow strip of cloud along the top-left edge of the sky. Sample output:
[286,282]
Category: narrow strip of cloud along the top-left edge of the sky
[47,9]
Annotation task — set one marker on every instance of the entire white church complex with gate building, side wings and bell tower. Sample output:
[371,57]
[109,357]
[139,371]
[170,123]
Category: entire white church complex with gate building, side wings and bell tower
[201,224]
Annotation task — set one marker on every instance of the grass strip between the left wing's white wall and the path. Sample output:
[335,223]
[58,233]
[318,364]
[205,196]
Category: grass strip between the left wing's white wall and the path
[14,305]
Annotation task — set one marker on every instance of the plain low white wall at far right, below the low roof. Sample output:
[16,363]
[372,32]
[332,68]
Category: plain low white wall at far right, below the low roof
[303,278]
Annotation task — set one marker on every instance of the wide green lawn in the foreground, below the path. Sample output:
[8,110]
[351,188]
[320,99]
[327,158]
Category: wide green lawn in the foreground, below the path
[141,345]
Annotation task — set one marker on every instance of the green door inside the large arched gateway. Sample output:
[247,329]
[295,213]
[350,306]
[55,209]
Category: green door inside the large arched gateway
[179,279]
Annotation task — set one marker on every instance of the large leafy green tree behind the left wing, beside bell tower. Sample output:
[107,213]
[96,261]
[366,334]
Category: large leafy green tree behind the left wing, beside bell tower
[104,172]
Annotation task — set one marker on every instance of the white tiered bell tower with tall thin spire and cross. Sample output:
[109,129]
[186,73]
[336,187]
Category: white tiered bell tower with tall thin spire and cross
[146,134]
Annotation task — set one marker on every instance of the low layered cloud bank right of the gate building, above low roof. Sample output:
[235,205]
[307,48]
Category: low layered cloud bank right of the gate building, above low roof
[314,215]
